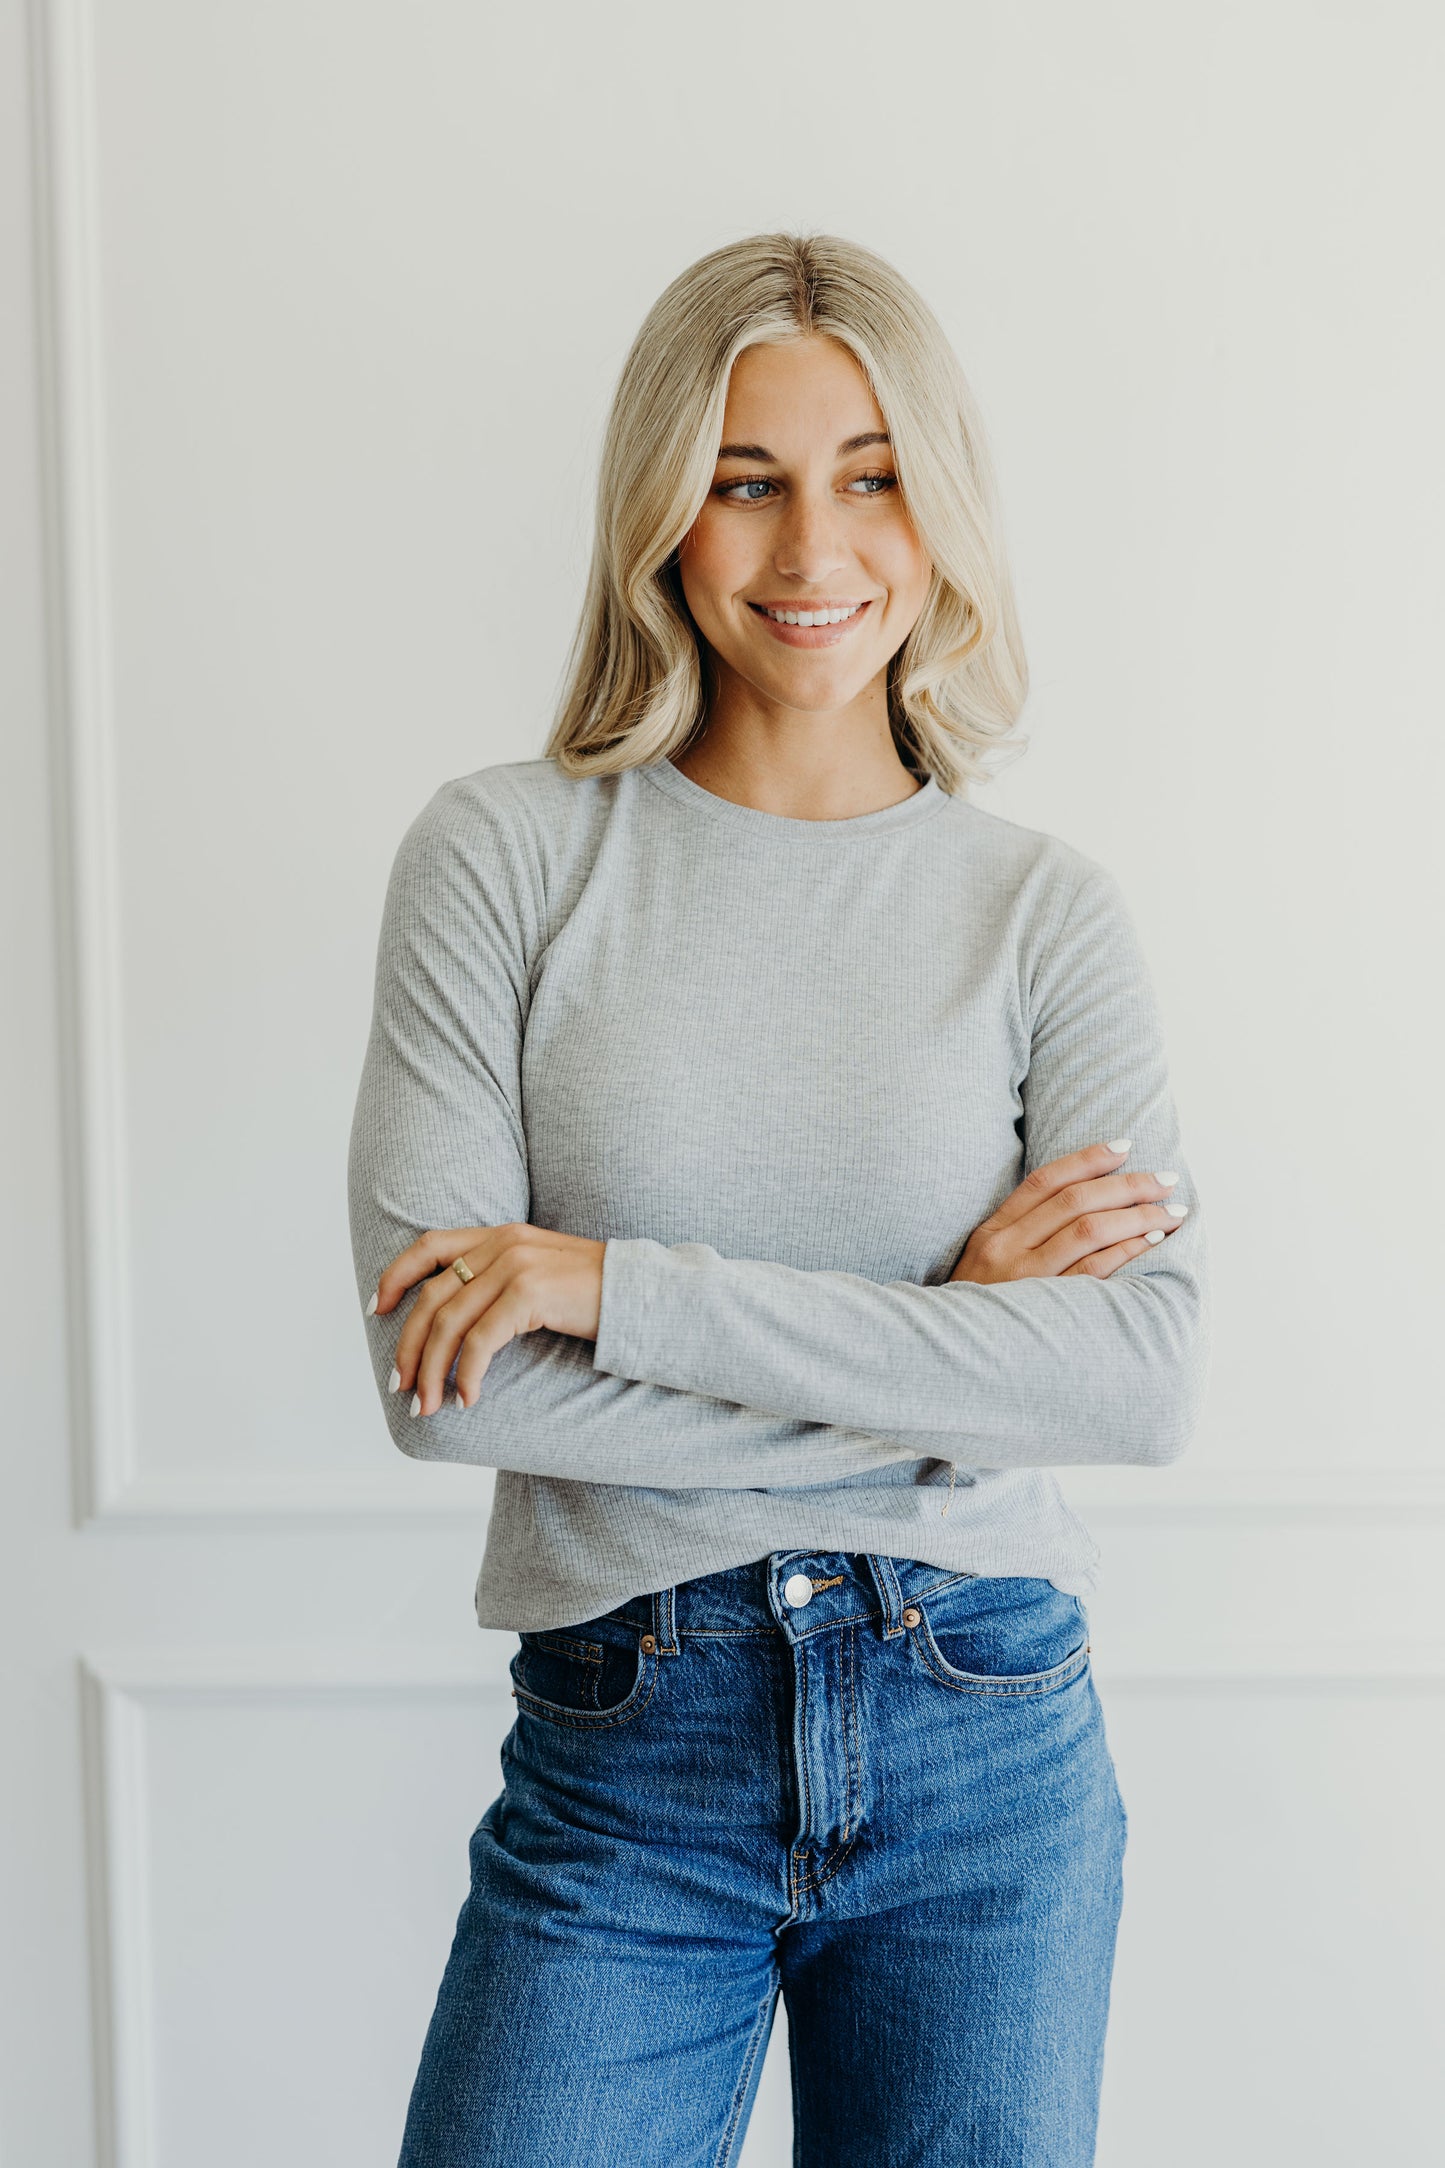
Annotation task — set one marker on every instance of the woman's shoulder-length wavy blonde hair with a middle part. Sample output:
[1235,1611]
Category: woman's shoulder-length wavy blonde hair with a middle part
[636,677]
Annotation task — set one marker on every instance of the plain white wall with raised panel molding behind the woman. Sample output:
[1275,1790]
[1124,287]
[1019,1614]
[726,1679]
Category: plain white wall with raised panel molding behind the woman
[311,322]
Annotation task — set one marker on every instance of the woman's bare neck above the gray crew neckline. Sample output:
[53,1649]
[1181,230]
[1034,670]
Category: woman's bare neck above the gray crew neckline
[798,764]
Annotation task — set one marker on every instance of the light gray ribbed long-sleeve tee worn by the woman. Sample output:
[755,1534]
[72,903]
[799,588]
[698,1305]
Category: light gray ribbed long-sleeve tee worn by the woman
[783,1070]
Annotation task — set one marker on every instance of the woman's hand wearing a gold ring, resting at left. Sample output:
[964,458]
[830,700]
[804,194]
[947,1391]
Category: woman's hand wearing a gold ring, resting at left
[525,1280]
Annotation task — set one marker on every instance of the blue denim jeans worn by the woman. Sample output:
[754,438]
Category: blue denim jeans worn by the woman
[891,1801]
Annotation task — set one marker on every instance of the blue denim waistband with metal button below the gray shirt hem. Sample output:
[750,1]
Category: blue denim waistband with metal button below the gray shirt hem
[751,1599]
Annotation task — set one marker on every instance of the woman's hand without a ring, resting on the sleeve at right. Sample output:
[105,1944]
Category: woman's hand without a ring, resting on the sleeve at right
[1073,1215]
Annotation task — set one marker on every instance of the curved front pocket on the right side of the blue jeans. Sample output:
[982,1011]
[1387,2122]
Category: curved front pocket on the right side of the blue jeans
[1004,1636]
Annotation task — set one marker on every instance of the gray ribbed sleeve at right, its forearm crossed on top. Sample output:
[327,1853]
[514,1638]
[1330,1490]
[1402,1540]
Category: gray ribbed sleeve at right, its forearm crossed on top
[1024,1373]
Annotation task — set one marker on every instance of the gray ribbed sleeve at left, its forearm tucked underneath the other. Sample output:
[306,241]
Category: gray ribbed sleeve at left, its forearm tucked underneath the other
[439,1141]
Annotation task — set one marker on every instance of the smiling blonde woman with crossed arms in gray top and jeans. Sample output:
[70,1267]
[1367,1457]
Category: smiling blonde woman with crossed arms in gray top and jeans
[766,1161]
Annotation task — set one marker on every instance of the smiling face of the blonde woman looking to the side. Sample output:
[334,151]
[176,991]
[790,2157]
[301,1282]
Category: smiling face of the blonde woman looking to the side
[805,521]
